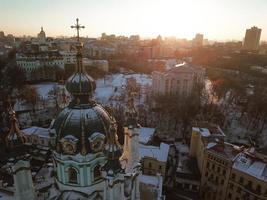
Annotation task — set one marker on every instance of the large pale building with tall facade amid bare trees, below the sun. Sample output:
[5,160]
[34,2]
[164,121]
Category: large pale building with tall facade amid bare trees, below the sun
[178,80]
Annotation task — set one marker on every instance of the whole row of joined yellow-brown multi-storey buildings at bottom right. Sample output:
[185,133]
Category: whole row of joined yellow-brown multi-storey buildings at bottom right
[228,172]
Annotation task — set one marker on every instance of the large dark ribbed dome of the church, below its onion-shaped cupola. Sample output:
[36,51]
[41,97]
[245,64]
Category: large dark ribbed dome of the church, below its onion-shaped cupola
[81,122]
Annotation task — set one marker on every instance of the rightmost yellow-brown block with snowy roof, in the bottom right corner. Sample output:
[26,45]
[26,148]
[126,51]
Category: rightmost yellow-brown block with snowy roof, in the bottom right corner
[248,179]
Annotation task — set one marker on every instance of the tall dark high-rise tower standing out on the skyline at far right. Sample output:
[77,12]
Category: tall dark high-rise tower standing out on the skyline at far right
[252,39]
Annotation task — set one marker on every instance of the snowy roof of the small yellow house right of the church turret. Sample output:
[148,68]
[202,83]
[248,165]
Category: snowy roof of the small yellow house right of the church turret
[159,153]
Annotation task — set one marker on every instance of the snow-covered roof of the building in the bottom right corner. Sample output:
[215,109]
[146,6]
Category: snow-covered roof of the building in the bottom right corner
[248,165]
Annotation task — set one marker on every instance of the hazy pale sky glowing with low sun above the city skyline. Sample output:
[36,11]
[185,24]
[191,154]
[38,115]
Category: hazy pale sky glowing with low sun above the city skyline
[216,19]
